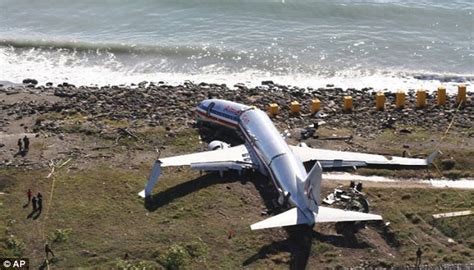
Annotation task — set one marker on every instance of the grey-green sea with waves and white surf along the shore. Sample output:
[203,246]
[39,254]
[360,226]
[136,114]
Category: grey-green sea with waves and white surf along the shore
[310,43]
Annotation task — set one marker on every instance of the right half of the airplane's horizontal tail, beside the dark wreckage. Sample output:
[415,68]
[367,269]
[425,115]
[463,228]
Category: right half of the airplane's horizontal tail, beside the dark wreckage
[327,214]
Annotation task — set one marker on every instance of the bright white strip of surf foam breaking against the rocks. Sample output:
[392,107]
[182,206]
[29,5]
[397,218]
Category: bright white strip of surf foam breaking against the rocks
[428,82]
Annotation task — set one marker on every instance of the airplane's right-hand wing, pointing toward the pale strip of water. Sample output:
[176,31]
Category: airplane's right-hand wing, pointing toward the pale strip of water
[339,159]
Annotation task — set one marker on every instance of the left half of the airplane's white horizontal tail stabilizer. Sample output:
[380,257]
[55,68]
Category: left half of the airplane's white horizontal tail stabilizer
[291,217]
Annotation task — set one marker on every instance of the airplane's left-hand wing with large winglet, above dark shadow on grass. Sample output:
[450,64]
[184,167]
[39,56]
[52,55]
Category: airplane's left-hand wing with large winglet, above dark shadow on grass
[233,158]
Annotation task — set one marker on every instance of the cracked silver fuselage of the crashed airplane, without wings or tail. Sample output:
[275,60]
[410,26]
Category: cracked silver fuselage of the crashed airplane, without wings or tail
[267,146]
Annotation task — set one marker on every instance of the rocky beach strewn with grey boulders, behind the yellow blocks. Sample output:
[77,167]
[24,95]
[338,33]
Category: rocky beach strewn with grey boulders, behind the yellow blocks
[64,109]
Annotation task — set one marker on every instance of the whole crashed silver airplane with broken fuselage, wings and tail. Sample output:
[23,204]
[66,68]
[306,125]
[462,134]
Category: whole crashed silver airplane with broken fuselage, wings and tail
[265,150]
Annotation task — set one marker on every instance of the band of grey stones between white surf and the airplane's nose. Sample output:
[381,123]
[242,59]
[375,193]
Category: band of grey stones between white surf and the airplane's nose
[172,106]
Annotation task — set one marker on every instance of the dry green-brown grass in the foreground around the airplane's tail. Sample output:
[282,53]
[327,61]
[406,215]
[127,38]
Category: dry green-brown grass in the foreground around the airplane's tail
[97,219]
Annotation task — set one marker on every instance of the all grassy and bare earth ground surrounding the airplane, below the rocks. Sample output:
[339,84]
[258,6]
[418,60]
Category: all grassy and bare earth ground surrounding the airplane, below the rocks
[92,216]
